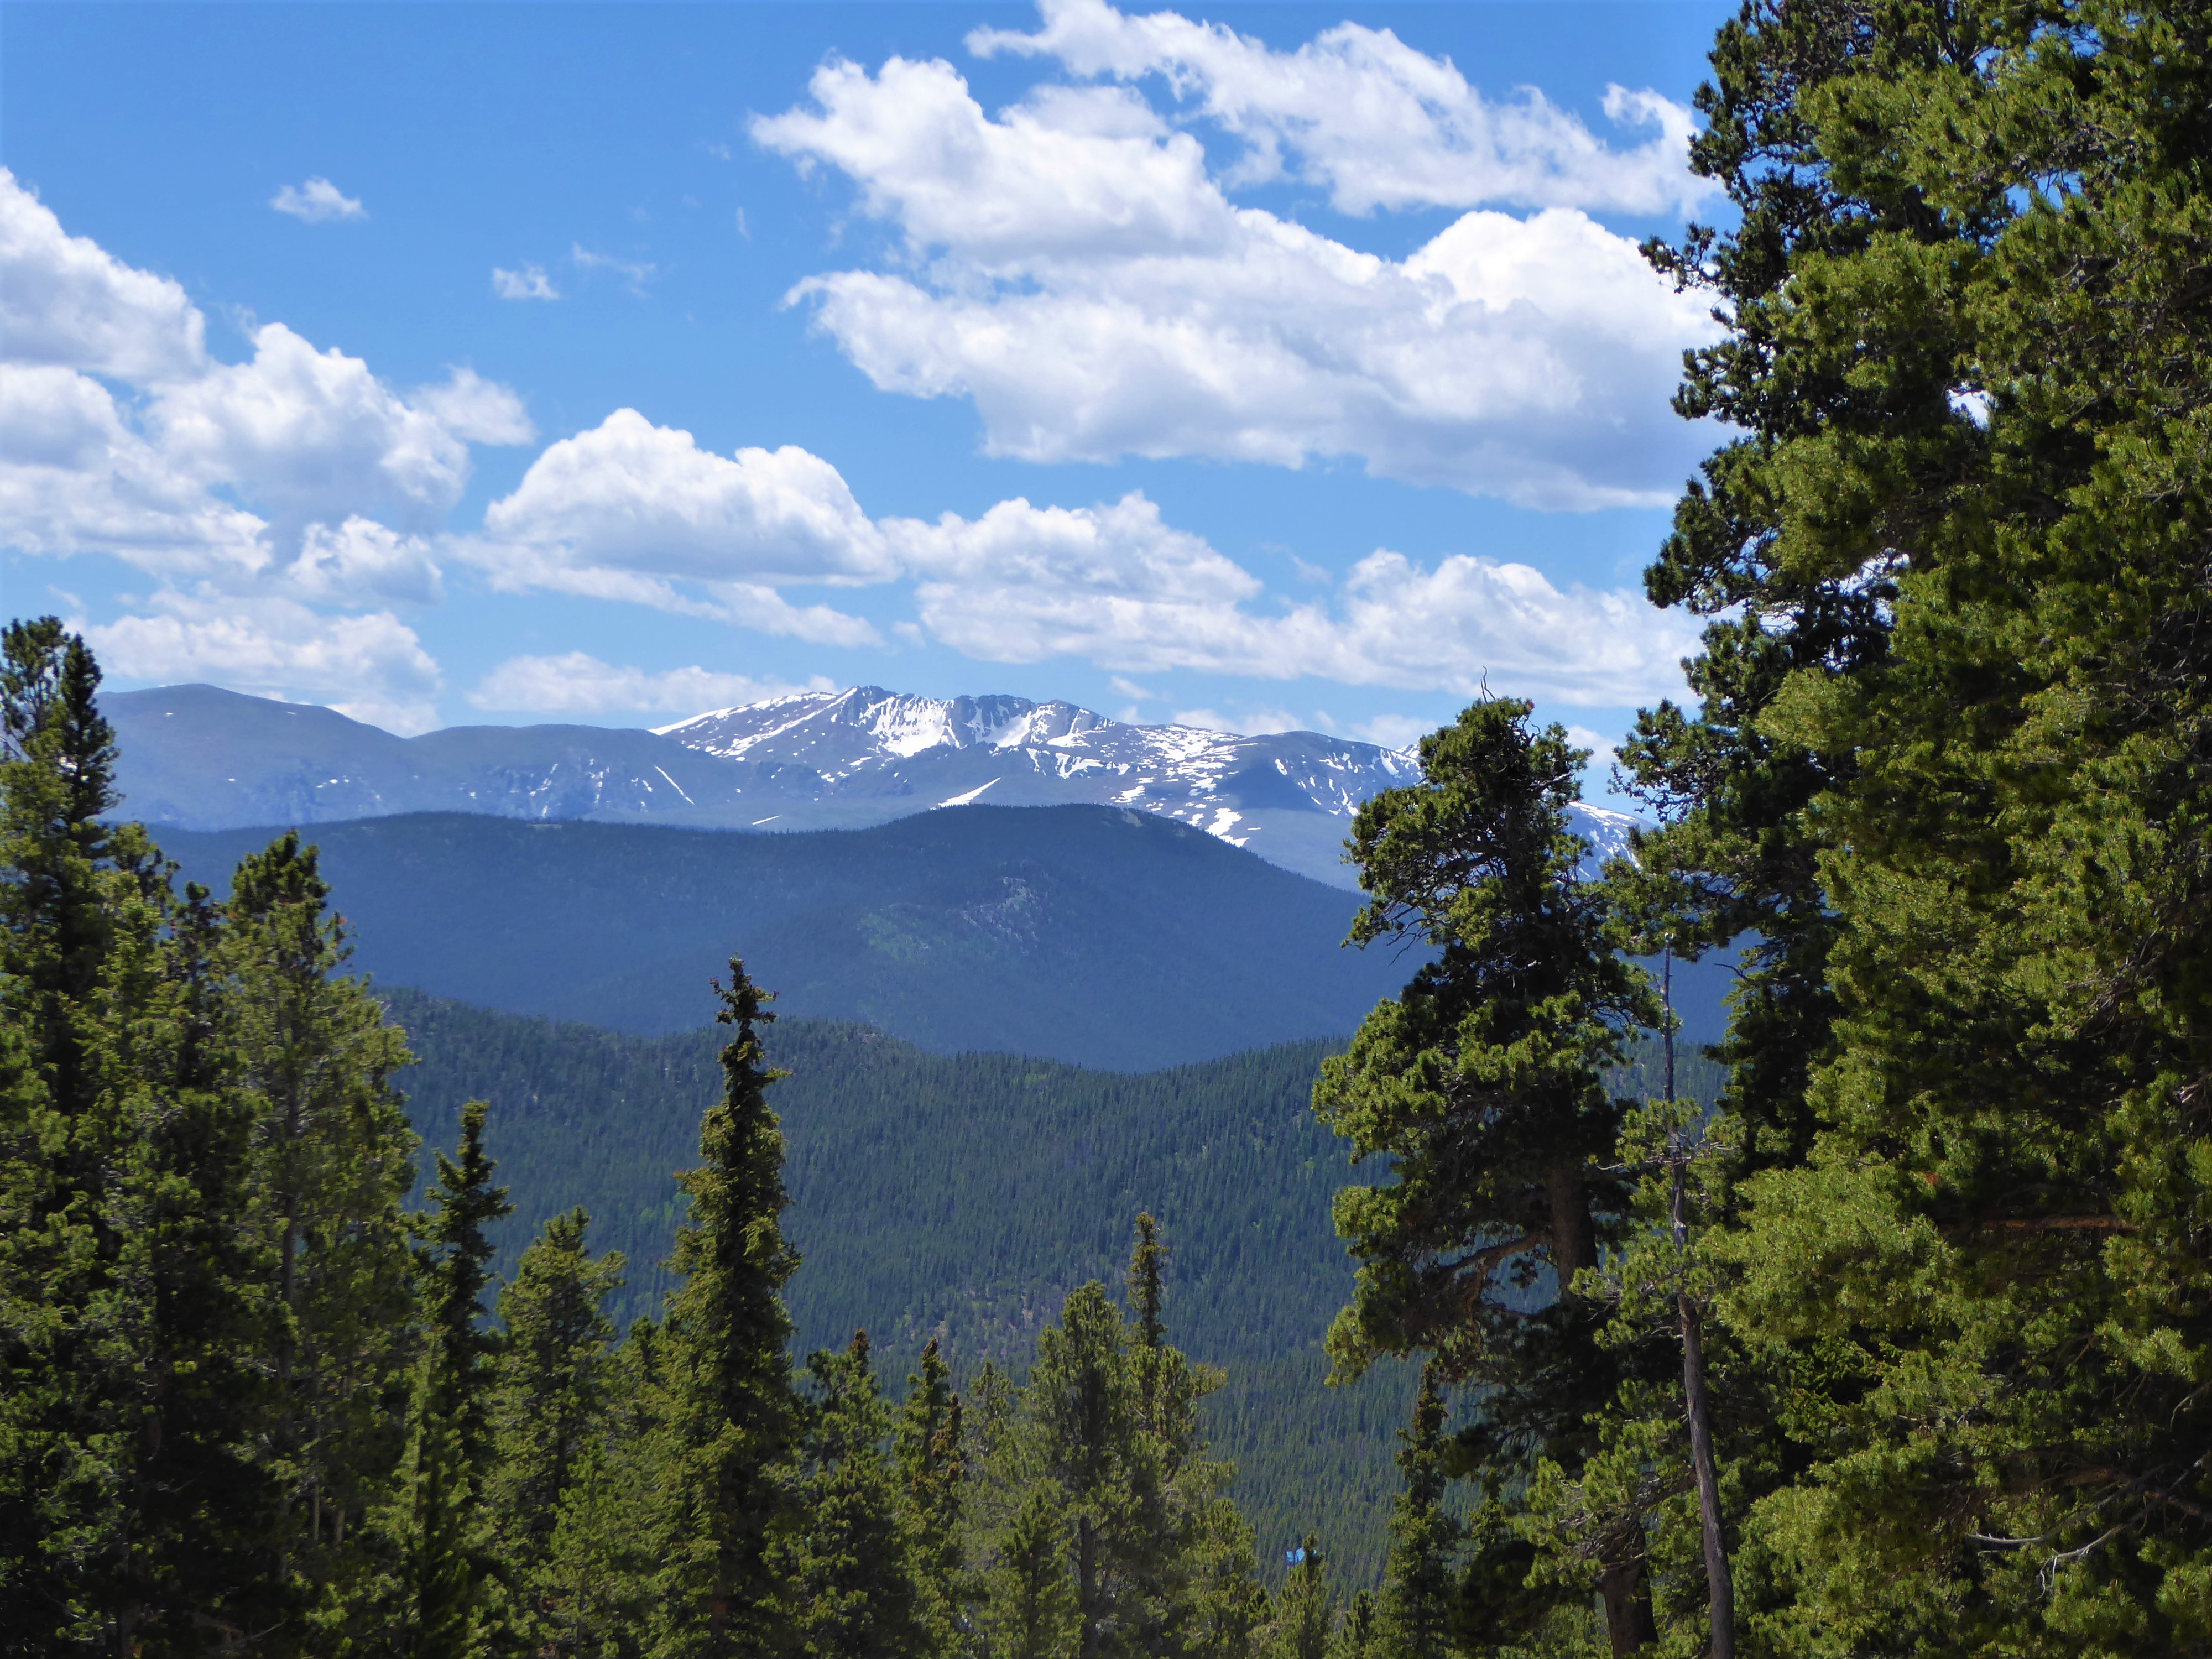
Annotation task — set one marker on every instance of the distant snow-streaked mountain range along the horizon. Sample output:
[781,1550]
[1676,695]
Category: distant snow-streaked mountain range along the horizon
[209,760]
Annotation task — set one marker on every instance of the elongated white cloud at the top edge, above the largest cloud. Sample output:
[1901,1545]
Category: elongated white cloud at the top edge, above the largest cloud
[1373,121]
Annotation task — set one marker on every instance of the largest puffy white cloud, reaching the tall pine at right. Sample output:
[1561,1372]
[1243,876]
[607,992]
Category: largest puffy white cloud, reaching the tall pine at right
[1076,271]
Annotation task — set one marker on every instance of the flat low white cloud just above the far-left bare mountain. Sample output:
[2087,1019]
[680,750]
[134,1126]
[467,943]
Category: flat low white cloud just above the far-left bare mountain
[371,667]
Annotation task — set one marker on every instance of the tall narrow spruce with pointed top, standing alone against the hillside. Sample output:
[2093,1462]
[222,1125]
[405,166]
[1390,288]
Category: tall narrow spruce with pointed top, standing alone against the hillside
[727,1406]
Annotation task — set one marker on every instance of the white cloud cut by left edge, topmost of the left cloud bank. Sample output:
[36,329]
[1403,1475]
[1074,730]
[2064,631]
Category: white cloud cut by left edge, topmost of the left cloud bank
[67,302]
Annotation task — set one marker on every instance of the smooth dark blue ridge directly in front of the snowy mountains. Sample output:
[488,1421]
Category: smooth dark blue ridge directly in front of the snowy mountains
[1092,935]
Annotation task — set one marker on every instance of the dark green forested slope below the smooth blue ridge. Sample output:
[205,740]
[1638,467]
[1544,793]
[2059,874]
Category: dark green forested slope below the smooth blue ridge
[961,1198]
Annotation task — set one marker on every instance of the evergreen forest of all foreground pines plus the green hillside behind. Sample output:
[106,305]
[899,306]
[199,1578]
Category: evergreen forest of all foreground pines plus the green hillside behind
[1884,1328]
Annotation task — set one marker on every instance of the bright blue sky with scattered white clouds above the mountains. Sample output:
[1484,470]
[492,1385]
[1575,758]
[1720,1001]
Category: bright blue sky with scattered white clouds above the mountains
[1262,366]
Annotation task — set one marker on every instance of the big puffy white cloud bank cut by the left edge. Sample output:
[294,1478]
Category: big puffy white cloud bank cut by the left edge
[200,470]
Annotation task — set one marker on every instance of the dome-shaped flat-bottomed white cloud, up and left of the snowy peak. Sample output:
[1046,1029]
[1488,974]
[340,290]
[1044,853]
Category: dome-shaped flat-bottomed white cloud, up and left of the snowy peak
[647,501]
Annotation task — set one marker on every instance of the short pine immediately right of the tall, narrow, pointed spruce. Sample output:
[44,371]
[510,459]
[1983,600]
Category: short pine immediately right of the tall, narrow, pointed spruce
[848,1569]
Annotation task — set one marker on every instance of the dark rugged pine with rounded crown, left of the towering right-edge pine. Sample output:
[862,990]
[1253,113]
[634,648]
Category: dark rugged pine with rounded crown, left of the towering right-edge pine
[1483,1081]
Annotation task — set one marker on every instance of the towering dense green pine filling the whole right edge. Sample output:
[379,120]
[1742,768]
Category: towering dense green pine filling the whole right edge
[1968,355]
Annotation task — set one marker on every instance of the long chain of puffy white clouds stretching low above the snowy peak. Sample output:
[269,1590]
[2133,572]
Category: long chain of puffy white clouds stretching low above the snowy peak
[643,514]
